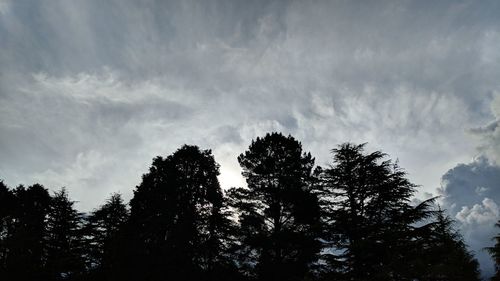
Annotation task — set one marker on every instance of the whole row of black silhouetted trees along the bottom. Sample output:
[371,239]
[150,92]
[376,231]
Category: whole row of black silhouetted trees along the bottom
[352,220]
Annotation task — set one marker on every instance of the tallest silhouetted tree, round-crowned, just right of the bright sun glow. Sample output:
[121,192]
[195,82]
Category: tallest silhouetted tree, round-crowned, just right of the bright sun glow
[279,211]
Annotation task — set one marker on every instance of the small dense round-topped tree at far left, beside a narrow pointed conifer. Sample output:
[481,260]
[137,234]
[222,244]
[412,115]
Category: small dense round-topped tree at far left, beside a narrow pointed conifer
[25,240]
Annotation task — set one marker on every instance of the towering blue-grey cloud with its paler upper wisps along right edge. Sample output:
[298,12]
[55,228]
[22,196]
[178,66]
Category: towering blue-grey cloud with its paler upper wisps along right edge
[471,192]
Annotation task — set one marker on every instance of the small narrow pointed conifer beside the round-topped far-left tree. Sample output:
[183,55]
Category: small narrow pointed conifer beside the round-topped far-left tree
[64,241]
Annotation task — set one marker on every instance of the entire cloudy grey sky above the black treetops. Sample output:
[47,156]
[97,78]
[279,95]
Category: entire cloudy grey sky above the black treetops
[91,91]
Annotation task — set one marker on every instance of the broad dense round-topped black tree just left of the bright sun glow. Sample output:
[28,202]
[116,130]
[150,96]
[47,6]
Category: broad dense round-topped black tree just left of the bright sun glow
[176,218]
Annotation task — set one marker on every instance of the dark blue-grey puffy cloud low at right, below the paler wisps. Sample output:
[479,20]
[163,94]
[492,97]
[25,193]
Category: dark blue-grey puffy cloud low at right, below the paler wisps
[471,194]
